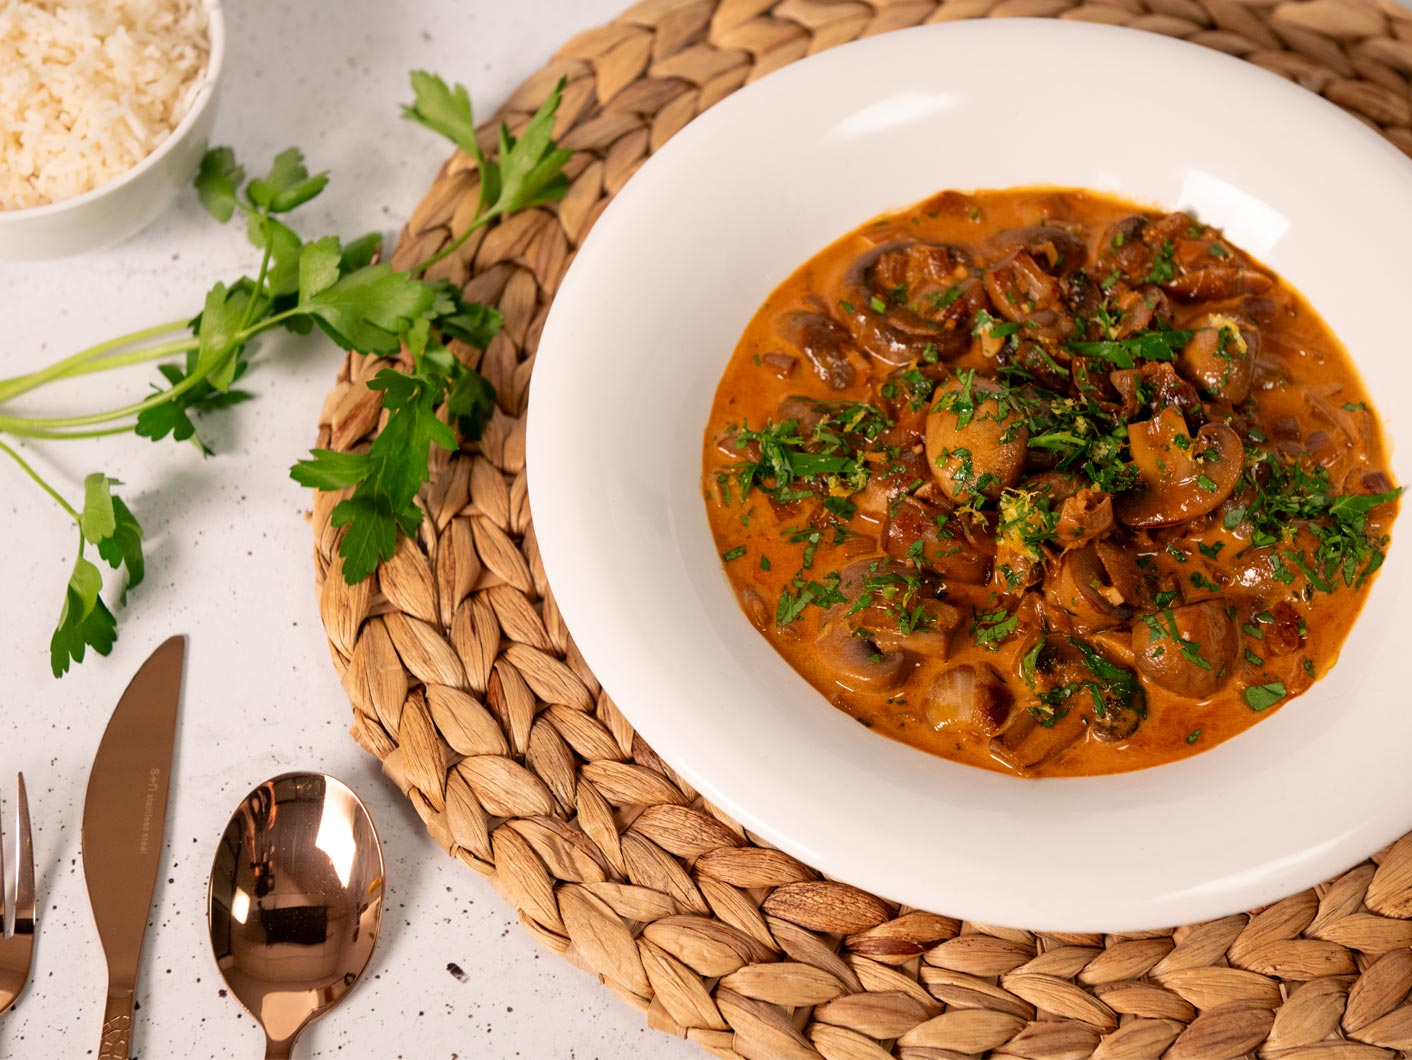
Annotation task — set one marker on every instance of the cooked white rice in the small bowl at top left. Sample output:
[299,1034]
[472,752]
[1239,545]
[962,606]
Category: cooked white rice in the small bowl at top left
[90,88]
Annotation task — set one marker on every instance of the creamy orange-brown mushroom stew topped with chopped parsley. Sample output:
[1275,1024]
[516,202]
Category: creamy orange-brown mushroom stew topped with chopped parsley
[1046,482]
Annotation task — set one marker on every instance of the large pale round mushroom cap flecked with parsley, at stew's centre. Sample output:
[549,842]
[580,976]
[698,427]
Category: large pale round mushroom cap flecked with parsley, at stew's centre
[971,447]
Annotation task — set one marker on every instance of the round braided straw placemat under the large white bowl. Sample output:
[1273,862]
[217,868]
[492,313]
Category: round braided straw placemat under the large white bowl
[468,687]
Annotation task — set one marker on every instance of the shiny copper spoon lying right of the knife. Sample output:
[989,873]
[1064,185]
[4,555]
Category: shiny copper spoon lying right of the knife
[296,903]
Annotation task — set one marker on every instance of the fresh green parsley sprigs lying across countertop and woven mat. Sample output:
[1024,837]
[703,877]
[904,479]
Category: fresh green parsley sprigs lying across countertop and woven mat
[341,289]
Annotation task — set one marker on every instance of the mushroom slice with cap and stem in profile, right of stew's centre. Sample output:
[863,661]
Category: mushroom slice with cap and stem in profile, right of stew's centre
[1180,478]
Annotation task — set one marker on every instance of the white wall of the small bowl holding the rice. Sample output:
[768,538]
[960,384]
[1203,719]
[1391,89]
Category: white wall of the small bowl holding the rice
[129,203]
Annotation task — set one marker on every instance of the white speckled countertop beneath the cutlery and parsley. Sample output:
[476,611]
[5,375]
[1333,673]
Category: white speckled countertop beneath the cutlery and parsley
[229,564]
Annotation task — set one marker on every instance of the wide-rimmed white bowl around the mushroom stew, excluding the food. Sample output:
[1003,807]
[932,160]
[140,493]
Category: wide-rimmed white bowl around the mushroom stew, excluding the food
[653,308]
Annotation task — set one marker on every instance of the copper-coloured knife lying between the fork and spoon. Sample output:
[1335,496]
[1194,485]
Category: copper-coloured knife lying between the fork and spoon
[125,815]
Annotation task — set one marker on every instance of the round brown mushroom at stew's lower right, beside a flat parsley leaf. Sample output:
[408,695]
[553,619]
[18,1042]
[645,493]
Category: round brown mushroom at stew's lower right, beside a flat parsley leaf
[1187,650]
